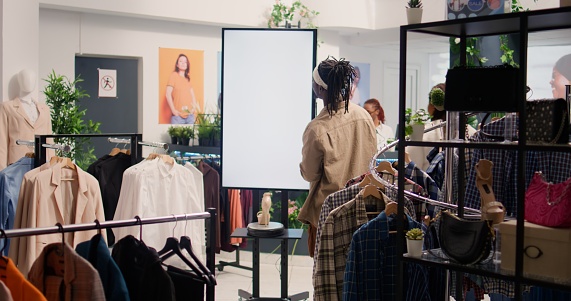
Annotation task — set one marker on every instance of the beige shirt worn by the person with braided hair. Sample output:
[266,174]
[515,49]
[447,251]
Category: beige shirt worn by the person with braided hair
[335,149]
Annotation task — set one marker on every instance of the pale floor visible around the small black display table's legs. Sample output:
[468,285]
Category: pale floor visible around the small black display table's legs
[231,279]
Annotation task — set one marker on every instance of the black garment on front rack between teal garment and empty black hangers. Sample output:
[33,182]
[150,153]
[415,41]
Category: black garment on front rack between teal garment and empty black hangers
[141,267]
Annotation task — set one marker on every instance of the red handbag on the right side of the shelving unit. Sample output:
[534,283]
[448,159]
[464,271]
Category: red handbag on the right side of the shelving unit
[548,204]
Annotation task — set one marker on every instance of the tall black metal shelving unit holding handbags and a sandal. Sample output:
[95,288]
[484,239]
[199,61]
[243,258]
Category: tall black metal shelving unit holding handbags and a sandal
[523,24]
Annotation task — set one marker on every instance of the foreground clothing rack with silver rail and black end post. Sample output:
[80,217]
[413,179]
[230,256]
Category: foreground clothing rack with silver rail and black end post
[210,232]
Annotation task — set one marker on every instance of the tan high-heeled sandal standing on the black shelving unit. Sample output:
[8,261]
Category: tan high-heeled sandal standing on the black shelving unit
[490,208]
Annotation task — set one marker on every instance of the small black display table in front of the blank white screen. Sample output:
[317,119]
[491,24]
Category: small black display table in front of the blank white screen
[288,234]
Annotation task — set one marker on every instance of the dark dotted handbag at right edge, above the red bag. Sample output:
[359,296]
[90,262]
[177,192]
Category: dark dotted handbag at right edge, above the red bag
[547,121]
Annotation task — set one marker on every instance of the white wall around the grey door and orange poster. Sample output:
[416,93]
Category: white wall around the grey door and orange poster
[65,34]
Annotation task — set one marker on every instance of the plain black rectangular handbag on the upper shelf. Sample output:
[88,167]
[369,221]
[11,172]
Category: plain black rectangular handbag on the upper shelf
[481,89]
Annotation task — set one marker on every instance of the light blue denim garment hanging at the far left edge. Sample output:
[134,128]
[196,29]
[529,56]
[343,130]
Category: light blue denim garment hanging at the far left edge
[10,183]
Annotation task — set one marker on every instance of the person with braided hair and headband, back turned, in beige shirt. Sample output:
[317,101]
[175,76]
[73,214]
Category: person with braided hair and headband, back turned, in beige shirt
[338,144]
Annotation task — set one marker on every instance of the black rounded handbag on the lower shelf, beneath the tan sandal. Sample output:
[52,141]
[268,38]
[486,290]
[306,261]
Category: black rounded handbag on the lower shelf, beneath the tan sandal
[465,241]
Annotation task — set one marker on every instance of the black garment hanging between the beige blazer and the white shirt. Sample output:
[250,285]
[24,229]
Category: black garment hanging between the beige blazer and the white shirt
[108,171]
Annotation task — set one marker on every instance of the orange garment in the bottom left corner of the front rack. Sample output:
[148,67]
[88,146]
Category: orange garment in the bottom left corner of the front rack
[20,288]
